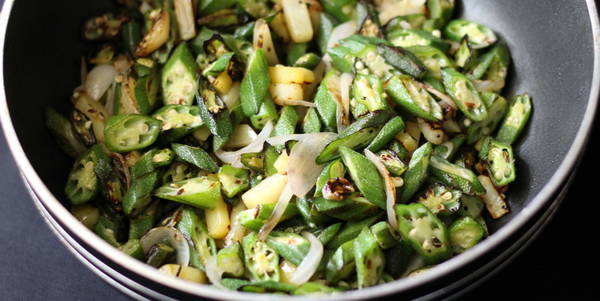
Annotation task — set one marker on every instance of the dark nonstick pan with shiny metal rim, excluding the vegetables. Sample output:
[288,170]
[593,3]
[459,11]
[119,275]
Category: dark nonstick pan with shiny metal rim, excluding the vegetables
[555,52]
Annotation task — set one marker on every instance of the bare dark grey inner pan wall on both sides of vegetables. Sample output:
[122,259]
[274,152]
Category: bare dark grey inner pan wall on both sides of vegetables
[551,44]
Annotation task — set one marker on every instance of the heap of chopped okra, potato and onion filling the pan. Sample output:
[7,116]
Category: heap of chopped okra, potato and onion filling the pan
[290,146]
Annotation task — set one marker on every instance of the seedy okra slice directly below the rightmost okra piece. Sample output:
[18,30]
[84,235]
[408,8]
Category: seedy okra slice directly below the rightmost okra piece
[500,162]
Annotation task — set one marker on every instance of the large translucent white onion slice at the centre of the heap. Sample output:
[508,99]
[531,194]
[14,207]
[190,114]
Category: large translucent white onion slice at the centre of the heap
[303,171]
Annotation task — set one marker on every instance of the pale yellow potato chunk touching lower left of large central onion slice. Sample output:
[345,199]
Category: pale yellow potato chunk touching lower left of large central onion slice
[266,192]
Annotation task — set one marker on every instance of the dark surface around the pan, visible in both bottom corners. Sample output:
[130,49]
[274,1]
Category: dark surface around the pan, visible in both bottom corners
[560,264]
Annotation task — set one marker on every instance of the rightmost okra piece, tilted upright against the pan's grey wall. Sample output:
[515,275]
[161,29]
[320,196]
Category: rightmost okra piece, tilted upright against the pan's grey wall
[516,119]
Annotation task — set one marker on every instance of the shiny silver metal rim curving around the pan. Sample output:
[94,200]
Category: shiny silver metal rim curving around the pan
[566,166]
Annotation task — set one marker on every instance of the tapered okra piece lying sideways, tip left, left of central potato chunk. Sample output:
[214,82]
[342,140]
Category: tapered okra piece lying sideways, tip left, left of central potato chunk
[200,192]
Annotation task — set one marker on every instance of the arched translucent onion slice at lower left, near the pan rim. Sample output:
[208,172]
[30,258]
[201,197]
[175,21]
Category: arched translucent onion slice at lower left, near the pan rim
[171,236]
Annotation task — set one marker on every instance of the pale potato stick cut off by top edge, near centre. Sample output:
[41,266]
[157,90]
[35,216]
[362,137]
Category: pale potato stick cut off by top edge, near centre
[298,20]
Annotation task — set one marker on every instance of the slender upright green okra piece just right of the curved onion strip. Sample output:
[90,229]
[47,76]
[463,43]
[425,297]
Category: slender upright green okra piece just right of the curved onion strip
[417,172]
